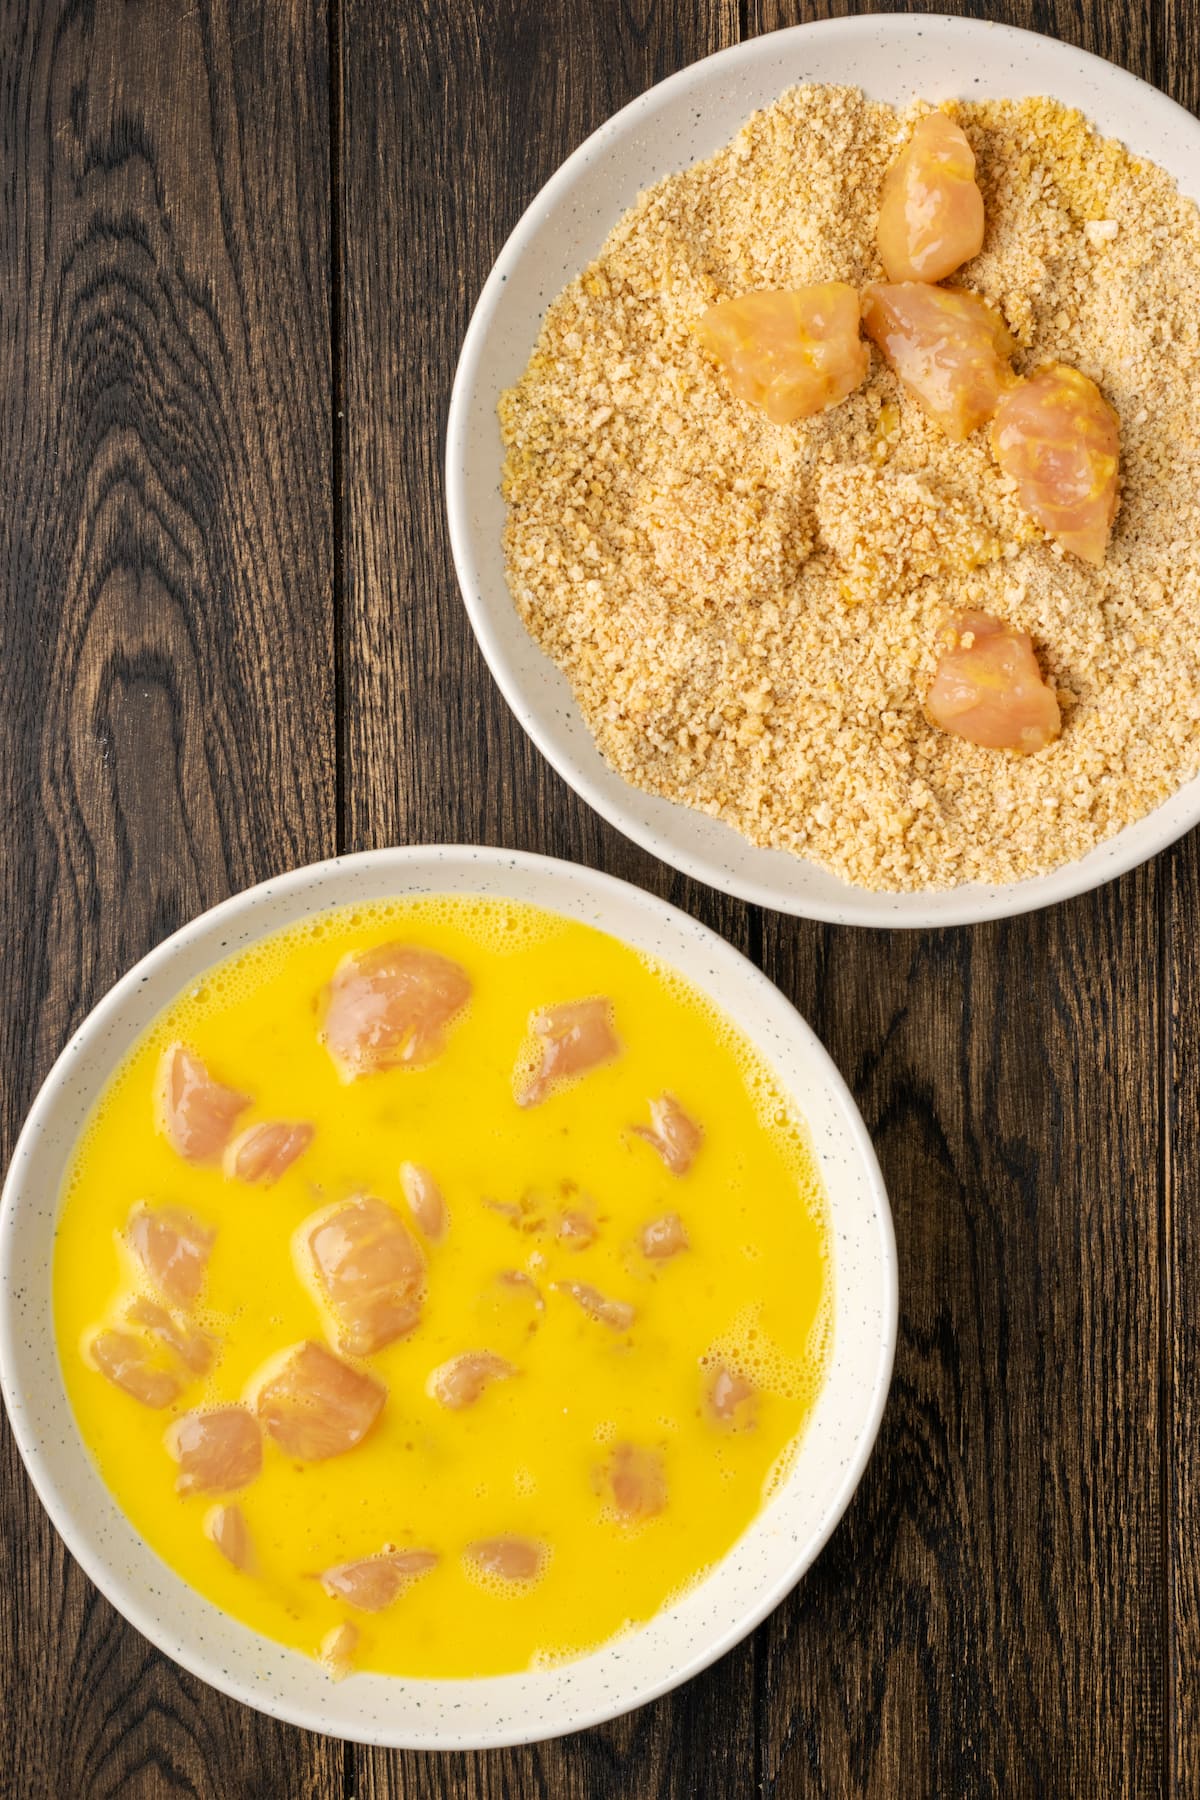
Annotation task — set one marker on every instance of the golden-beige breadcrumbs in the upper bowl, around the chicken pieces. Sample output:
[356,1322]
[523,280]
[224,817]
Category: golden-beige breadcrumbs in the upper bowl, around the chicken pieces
[751,615]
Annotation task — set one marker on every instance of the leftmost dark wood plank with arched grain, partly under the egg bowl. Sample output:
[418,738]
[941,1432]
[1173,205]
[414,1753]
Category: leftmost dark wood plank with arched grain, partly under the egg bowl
[166,651]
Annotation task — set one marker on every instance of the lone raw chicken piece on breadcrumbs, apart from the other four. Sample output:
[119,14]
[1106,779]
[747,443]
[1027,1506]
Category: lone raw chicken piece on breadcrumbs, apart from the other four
[989,688]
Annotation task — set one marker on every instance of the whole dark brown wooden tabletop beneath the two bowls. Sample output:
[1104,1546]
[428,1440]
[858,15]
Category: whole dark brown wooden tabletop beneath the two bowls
[238,249]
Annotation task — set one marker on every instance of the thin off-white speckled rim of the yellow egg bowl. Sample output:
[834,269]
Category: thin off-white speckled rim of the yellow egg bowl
[111,1583]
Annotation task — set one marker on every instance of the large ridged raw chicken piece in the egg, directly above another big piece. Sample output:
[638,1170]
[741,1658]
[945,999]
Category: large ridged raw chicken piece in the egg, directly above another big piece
[370,1270]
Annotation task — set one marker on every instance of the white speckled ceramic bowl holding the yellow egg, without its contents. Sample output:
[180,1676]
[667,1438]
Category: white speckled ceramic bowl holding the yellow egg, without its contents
[514,1709]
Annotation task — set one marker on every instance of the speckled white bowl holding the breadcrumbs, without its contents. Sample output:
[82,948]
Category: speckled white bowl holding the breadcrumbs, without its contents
[692,116]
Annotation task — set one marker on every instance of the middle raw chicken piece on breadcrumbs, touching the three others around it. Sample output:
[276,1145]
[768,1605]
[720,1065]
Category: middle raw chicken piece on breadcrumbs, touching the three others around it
[947,346]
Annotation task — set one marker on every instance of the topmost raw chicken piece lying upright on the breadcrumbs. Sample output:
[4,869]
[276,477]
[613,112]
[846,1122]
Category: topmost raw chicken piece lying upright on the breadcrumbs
[931,210]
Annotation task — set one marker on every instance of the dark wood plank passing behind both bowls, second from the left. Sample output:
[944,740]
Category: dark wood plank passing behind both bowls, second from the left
[452,118]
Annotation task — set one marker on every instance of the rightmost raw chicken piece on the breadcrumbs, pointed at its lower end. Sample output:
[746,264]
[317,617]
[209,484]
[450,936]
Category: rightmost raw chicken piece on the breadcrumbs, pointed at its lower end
[1061,442]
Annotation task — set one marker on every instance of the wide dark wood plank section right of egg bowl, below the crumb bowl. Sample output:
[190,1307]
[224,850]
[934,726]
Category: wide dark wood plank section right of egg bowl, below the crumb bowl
[990,1615]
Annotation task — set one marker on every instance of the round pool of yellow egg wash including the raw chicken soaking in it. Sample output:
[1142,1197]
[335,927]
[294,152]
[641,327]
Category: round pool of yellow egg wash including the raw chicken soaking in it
[442,1286]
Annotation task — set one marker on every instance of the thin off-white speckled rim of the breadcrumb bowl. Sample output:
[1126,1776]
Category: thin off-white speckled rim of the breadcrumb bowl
[967,904]
